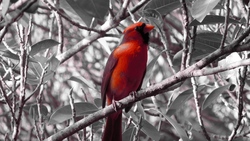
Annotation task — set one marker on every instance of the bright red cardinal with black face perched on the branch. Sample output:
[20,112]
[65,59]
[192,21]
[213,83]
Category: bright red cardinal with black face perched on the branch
[124,73]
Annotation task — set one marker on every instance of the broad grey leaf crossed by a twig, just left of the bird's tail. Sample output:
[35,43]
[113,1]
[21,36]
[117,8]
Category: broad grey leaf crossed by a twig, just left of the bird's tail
[64,113]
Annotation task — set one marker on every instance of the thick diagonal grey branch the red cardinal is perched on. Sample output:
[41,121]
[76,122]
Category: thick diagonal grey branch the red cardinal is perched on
[150,91]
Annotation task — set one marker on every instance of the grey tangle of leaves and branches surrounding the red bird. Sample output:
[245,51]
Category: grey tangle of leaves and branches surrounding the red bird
[53,53]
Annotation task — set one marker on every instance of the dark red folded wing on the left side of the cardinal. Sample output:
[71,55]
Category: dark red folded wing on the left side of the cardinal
[106,77]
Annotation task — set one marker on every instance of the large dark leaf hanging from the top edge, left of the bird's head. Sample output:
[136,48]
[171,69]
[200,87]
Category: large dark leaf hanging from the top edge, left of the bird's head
[93,8]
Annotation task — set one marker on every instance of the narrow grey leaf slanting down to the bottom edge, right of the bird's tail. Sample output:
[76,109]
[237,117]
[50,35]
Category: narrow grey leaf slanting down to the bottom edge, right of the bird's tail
[182,133]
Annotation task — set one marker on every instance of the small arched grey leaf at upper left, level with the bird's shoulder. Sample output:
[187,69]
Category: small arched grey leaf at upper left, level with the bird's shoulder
[42,45]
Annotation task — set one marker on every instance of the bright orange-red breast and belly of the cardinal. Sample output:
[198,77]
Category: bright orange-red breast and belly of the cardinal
[128,72]
